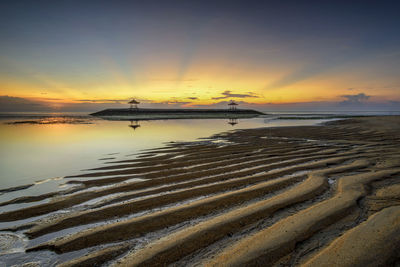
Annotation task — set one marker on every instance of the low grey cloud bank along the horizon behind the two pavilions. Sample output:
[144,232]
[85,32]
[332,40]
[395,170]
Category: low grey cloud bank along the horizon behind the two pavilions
[356,102]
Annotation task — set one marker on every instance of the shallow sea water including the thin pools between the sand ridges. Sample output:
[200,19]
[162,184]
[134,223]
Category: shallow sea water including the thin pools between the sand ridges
[62,146]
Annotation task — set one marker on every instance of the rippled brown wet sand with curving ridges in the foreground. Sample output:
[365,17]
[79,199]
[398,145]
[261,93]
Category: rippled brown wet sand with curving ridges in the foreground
[291,196]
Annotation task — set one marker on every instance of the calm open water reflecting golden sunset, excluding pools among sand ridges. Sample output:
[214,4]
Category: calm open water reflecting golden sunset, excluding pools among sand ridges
[44,153]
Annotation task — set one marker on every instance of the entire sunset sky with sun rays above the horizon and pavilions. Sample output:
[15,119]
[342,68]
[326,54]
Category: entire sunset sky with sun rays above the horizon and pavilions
[269,55]
